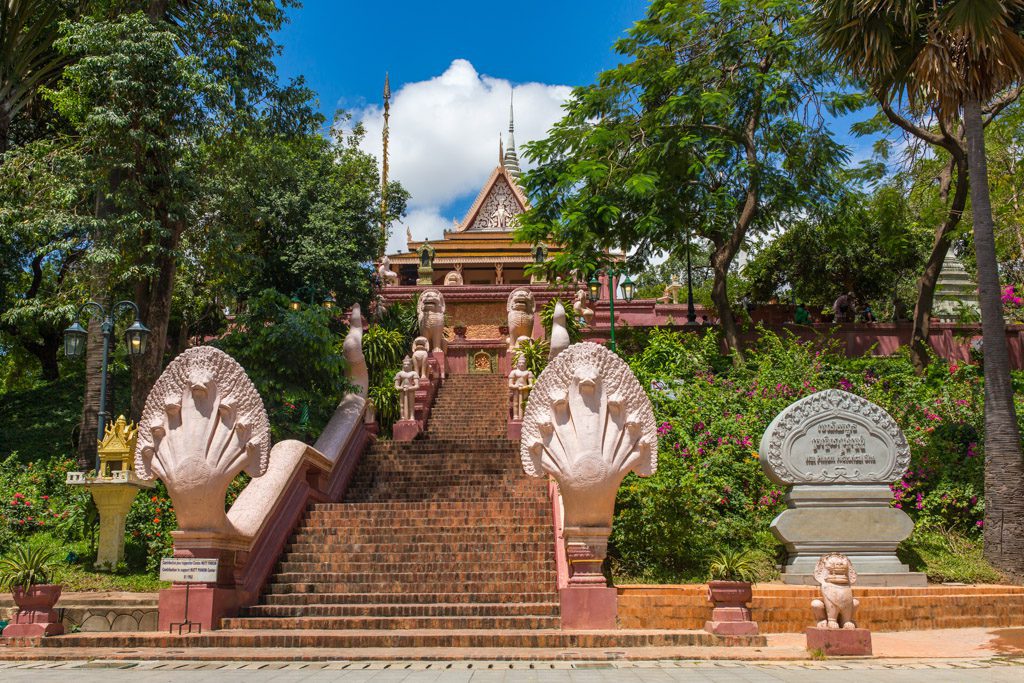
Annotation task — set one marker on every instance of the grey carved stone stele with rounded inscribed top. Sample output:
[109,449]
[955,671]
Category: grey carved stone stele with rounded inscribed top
[839,453]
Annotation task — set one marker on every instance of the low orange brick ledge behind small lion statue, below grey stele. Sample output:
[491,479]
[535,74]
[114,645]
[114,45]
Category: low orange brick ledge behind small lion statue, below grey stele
[783,609]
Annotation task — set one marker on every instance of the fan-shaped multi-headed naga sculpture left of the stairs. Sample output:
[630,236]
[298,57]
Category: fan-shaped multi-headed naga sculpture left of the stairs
[203,424]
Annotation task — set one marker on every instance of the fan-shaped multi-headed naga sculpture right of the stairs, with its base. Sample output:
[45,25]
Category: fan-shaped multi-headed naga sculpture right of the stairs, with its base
[588,424]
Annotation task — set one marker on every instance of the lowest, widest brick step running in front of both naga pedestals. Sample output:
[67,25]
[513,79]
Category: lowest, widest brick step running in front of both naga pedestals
[413,638]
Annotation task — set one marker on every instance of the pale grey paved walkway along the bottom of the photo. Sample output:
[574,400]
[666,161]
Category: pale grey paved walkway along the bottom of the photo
[885,671]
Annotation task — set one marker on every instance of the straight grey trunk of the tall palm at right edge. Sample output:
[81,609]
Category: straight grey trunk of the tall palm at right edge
[1004,523]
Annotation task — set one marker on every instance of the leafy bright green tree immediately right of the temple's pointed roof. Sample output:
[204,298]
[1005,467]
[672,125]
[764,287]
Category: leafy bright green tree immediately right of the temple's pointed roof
[713,127]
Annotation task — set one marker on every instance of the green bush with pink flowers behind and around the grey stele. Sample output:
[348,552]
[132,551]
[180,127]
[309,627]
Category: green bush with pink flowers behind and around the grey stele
[710,491]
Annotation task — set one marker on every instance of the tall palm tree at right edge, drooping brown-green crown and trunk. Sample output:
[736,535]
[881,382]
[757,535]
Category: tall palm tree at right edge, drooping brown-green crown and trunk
[949,58]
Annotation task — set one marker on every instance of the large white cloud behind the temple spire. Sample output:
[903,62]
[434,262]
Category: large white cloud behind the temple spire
[444,139]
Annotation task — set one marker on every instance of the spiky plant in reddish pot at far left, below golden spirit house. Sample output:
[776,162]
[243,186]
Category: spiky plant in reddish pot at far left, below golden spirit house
[27,573]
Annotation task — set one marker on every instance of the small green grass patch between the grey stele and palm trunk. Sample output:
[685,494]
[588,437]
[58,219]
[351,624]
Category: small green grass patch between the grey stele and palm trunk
[948,557]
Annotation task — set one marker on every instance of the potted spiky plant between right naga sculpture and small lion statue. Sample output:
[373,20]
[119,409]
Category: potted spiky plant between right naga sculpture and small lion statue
[731,575]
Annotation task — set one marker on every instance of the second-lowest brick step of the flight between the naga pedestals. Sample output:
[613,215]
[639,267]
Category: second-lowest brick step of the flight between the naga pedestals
[407,610]
